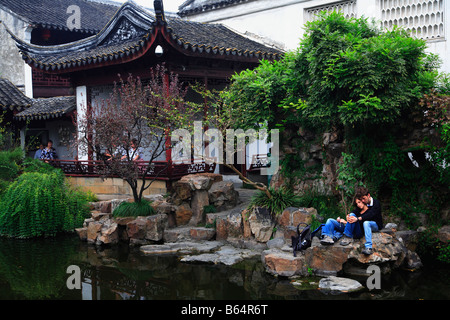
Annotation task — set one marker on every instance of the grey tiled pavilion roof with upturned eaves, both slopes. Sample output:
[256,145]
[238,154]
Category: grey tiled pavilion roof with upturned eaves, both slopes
[131,32]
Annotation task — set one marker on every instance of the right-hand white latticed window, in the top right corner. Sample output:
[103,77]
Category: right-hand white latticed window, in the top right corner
[423,19]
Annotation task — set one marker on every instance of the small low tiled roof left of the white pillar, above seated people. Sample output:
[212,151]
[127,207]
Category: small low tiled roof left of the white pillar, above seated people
[47,108]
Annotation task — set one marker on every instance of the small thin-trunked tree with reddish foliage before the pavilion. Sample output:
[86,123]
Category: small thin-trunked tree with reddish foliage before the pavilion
[130,130]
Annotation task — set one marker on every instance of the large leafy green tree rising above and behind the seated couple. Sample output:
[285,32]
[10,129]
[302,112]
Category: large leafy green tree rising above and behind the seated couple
[373,88]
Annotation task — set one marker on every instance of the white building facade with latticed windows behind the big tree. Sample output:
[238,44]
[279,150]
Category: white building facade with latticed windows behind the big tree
[281,23]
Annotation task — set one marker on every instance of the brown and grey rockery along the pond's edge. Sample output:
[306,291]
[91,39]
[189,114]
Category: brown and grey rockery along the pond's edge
[182,226]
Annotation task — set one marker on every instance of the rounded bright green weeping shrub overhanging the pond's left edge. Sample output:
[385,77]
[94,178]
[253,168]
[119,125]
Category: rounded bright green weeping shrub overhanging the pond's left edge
[41,204]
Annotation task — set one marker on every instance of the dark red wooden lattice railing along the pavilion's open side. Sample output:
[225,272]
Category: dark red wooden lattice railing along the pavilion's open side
[161,170]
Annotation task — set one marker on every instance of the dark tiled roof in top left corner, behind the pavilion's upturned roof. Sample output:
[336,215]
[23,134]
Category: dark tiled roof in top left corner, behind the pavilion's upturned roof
[52,14]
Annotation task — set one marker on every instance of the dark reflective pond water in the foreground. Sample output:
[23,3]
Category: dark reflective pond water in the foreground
[37,269]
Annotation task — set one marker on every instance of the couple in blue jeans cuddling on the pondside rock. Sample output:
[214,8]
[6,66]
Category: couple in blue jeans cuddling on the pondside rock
[368,215]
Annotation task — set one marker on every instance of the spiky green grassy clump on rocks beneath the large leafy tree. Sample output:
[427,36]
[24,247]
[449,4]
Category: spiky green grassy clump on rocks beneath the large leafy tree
[281,199]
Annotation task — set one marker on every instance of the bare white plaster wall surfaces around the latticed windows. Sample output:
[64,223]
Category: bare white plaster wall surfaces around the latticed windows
[281,22]
